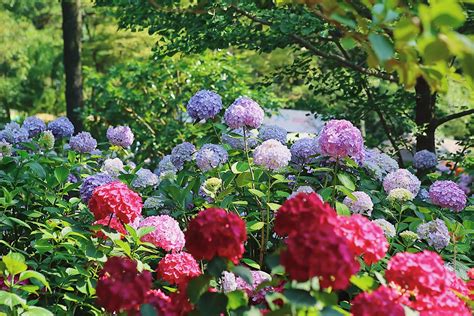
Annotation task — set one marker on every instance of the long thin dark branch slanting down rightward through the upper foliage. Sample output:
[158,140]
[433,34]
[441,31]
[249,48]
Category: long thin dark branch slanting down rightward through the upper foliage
[308,45]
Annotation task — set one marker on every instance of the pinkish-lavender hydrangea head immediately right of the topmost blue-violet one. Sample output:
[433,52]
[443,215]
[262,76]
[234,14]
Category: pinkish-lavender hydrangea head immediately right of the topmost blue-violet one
[244,112]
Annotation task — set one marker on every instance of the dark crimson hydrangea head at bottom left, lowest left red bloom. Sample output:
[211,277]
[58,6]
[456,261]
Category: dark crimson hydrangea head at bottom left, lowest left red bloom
[120,286]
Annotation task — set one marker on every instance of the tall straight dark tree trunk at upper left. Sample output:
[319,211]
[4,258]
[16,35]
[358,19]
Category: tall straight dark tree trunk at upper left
[72,60]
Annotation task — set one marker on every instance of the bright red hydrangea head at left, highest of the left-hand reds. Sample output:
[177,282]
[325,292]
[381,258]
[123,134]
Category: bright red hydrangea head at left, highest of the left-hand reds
[115,198]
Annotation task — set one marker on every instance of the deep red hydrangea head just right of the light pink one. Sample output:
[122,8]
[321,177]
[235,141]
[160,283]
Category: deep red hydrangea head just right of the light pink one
[214,232]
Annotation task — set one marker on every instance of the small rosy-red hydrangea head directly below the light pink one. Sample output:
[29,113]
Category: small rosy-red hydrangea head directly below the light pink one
[178,268]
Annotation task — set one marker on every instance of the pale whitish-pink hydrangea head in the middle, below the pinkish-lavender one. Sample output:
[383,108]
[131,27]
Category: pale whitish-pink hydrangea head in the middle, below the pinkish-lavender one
[272,155]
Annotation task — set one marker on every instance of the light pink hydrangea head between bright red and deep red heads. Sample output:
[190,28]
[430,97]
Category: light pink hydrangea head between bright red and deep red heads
[167,234]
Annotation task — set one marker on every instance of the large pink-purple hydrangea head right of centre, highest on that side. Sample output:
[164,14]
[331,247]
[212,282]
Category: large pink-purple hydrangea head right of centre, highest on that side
[339,139]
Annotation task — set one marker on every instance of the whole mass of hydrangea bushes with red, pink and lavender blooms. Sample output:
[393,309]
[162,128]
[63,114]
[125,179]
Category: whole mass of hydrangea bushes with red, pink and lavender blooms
[242,222]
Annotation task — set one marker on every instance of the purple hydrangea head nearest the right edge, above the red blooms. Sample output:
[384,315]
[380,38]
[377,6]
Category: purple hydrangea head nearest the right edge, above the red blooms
[448,194]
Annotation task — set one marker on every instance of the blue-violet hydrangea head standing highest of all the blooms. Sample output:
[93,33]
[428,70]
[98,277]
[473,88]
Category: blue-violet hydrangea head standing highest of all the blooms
[204,104]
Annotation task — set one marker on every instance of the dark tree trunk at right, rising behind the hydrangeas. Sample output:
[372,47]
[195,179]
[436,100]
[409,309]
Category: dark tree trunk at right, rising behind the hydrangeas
[424,115]
